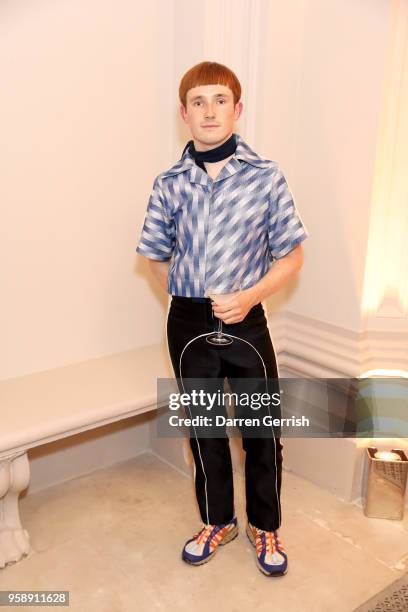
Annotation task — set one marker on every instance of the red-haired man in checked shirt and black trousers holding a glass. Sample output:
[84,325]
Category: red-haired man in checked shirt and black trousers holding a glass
[223,217]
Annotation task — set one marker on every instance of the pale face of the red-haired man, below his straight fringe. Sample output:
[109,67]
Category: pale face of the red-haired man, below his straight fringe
[210,105]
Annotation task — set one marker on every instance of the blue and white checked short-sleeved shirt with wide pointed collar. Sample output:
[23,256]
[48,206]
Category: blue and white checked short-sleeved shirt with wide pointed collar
[221,234]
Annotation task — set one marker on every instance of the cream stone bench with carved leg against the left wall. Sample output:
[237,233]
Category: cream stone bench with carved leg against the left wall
[54,404]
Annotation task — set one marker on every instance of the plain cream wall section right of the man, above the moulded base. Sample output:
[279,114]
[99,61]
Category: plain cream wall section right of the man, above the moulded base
[325,65]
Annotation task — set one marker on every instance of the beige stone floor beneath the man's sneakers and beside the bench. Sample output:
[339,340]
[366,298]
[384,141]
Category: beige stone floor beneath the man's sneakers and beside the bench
[113,539]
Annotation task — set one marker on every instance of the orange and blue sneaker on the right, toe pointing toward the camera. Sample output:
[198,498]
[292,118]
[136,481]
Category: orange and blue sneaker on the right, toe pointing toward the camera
[270,554]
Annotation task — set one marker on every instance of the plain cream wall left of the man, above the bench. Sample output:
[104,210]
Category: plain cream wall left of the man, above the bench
[80,122]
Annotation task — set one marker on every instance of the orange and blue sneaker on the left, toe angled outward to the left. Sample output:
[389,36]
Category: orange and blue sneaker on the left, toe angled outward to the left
[203,545]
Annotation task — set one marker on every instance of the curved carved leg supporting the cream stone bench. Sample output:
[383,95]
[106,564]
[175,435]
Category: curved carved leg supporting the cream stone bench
[14,478]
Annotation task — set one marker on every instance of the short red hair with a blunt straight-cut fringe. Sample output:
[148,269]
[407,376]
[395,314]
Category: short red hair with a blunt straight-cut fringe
[209,73]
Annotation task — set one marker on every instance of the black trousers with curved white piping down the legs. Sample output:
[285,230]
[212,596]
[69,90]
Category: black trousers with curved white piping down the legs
[188,318]
